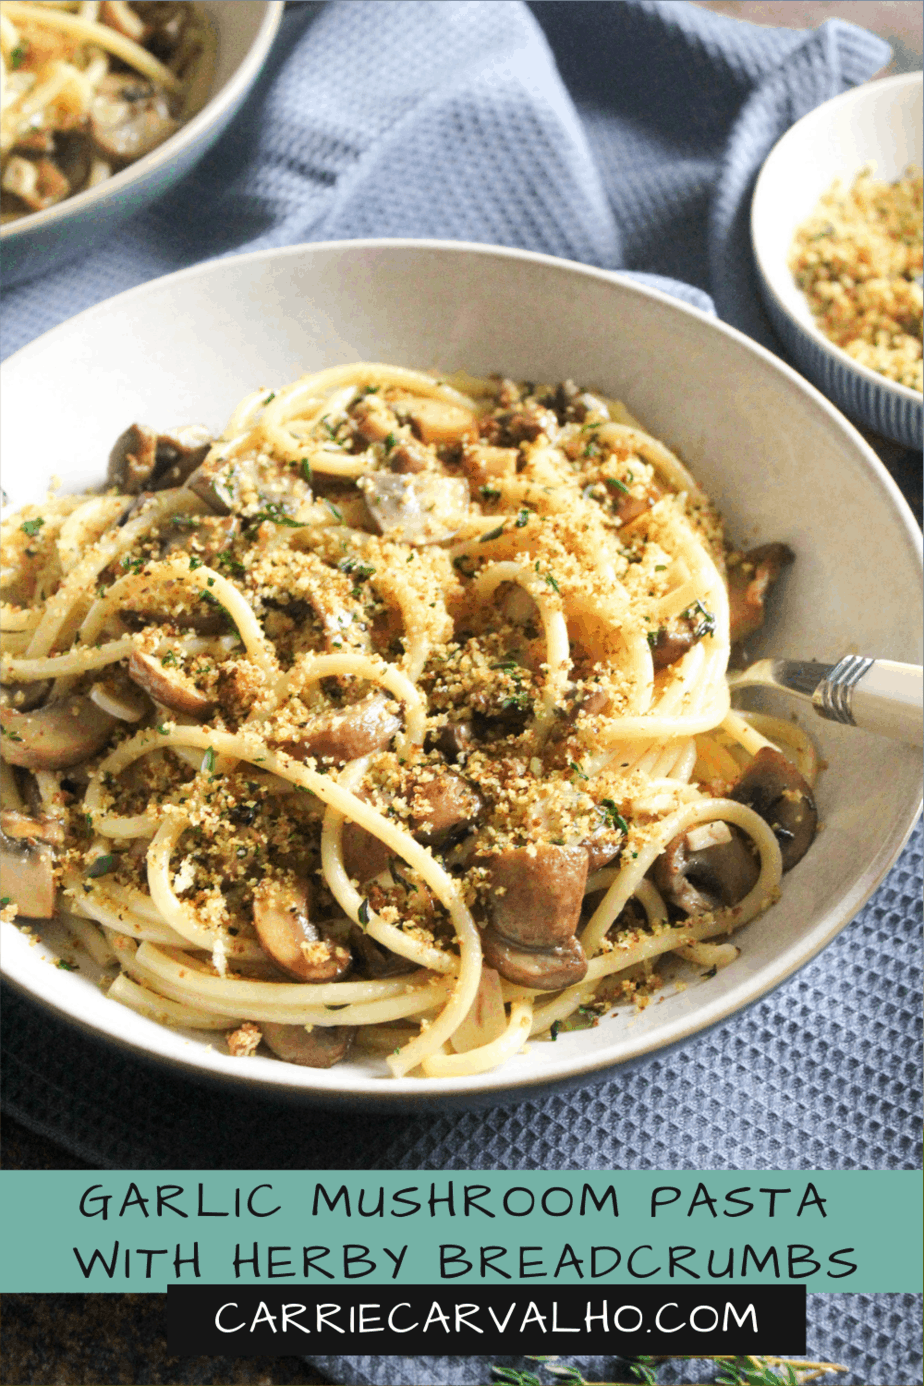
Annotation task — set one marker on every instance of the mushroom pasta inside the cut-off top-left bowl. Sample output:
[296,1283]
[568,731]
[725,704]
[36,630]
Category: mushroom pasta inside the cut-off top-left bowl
[89,88]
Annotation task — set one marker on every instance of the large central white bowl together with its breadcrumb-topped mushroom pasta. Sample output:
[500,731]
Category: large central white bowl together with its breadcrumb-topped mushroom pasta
[366,720]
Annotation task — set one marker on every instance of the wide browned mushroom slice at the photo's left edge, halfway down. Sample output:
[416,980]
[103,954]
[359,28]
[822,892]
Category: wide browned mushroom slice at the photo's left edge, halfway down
[57,735]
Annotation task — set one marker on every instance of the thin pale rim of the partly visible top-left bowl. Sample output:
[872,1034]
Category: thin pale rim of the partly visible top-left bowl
[240,81]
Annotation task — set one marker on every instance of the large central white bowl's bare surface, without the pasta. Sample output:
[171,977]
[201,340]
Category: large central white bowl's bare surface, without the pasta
[778,458]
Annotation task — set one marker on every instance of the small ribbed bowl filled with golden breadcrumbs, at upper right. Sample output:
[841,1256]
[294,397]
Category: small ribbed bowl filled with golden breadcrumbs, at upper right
[836,225]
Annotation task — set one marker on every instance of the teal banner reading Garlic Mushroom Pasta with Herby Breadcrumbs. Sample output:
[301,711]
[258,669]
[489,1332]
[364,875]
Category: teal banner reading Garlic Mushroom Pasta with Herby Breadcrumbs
[105,1231]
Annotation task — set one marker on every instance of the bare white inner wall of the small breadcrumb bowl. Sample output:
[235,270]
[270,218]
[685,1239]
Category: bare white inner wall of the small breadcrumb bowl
[878,125]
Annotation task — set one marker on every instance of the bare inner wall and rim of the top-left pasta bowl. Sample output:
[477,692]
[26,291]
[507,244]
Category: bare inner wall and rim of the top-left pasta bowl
[240,31]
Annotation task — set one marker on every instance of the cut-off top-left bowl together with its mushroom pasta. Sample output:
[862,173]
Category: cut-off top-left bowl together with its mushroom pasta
[107,106]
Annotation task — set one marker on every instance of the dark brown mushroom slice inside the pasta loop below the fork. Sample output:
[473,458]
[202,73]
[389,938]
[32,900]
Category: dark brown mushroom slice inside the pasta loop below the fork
[716,877]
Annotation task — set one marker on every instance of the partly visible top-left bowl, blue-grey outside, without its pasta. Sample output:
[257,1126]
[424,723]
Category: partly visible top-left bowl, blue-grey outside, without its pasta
[245,31]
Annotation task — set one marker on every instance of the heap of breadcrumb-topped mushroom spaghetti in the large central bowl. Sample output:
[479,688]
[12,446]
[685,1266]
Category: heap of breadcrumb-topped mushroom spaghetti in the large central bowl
[394,719]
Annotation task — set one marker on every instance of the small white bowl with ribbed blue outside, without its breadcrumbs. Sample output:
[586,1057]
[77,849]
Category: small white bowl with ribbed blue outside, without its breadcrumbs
[878,124]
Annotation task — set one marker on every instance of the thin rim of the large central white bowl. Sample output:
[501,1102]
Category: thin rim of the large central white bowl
[322,1087]
